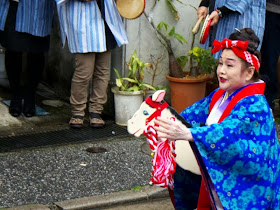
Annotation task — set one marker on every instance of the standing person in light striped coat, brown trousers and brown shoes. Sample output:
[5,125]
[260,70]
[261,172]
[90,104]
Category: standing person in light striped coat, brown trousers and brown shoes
[92,29]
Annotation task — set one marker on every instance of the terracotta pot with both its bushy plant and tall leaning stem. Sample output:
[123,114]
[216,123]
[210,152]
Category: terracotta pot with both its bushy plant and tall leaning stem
[185,87]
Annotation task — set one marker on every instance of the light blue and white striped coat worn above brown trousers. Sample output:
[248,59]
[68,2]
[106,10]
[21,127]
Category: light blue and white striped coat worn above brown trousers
[82,26]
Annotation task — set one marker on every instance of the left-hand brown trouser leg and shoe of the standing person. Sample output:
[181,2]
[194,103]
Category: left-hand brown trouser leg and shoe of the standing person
[79,86]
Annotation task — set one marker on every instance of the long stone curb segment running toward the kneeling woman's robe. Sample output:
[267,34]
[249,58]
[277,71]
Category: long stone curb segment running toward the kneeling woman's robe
[144,194]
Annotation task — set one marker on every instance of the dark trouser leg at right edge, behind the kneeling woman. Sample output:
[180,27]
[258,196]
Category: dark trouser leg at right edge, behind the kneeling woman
[270,52]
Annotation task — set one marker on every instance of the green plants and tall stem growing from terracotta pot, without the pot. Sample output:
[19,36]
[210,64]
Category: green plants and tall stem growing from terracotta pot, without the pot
[200,62]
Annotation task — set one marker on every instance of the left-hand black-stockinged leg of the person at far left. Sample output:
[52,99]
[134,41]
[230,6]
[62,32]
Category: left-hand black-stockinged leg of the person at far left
[13,64]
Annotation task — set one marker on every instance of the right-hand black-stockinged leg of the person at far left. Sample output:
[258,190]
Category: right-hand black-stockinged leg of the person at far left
[35,67]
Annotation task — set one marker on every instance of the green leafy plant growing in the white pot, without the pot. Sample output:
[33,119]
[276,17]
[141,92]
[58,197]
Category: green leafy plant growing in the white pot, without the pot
[135,77]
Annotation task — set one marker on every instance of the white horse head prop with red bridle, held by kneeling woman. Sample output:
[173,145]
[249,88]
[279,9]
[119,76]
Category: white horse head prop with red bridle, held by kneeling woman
[152,107]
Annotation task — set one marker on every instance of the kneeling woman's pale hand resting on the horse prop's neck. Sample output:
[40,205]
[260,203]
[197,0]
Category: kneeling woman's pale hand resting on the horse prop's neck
[172,130]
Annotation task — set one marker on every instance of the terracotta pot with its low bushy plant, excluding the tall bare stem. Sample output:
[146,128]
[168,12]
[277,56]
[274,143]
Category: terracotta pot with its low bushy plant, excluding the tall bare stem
[186,91]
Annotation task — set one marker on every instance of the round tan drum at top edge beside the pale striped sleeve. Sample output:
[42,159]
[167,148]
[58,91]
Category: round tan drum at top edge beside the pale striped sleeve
[130,9]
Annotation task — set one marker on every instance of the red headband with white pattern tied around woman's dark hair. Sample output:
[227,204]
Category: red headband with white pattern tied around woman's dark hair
[239,48]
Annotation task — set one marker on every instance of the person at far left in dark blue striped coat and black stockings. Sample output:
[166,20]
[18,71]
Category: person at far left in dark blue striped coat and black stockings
[25,27]
